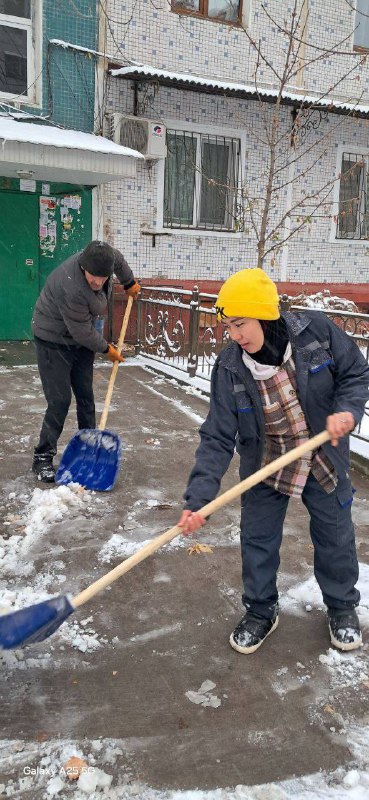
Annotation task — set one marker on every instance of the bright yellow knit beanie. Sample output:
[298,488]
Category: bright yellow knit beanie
[248,293]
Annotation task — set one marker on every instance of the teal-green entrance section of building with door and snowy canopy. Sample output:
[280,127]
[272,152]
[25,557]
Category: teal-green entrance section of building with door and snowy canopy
[52,164]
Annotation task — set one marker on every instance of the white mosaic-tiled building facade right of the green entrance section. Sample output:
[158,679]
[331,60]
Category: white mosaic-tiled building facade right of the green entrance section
[209,77]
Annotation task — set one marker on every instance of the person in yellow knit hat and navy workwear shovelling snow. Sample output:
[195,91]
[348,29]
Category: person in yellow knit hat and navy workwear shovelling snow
[282,379]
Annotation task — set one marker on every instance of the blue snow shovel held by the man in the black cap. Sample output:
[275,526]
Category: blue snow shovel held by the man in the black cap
[92,456]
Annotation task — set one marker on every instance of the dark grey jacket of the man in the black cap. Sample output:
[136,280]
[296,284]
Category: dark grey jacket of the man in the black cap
[67,307]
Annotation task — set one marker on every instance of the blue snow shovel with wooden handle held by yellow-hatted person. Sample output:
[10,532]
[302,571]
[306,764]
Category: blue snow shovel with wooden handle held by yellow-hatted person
[38,622]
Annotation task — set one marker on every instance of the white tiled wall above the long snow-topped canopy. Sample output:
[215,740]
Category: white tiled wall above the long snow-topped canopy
[149,32]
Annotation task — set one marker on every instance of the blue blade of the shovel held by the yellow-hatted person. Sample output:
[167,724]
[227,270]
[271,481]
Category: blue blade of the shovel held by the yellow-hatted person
[35,623]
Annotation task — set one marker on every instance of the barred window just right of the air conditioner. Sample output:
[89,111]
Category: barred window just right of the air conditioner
[200,181]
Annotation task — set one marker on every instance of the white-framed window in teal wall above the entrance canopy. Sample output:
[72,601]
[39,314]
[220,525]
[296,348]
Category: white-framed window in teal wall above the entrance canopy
[17,53]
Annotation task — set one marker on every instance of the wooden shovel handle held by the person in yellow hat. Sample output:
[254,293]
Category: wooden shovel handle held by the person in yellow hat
[205,511]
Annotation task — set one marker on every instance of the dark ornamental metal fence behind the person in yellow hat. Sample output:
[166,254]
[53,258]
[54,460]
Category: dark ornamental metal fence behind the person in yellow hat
[178,327]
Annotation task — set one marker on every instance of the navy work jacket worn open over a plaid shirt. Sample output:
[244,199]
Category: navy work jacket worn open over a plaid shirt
[332,376]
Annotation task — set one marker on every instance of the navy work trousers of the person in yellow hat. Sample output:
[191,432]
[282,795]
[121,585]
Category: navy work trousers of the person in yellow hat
[332,534]
